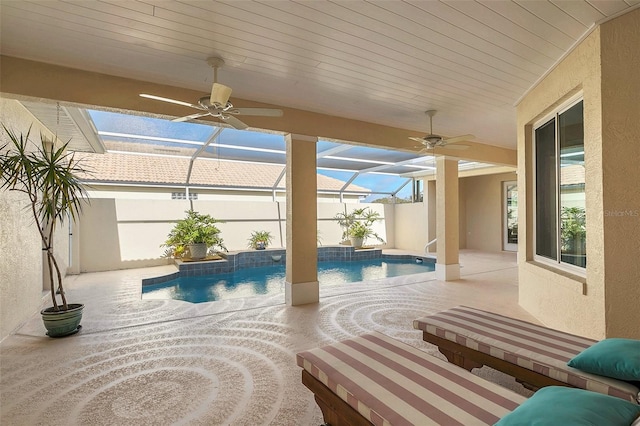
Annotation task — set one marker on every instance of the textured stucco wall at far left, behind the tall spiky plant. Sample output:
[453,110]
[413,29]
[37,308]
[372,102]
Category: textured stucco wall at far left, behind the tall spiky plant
[21,265]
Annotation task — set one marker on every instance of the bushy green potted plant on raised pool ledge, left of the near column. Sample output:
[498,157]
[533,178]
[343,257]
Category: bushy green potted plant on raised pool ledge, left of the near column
[193,236]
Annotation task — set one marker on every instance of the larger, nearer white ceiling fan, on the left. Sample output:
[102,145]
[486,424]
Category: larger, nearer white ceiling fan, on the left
[217,104]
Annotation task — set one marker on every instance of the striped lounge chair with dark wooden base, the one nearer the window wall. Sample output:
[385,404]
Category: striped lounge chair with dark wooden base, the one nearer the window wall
[535,355]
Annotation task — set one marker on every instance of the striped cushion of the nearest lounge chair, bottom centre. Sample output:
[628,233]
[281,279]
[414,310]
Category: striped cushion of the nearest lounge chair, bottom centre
[391,383]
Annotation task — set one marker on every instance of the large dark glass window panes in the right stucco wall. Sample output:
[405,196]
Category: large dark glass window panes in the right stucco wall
[560,220]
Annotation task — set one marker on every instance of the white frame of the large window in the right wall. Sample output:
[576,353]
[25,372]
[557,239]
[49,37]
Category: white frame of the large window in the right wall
[554,114]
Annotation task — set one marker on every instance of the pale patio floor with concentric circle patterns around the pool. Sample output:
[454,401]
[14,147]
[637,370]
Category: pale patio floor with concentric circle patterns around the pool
[160,362]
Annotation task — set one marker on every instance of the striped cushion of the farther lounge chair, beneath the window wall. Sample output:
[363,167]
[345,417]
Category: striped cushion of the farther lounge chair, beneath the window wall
[531,346]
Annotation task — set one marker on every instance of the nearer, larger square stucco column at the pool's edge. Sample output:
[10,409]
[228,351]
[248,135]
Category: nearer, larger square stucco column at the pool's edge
[301,284]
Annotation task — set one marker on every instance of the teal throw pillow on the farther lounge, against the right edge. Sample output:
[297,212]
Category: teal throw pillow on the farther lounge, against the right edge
[617,358]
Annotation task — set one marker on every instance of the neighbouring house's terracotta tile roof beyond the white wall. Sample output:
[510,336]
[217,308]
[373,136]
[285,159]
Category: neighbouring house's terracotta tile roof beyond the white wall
[133,168]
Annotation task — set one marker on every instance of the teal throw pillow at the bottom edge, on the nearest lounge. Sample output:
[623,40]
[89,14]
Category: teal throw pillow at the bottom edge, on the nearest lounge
[557,405]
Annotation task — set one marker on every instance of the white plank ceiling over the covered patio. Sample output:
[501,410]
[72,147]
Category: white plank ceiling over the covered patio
[377,61]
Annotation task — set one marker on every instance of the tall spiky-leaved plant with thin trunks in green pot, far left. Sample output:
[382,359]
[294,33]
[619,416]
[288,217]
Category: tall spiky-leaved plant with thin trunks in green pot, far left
[48,176]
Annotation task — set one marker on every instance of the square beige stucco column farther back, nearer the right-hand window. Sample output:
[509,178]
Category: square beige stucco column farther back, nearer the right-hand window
[447,226]
